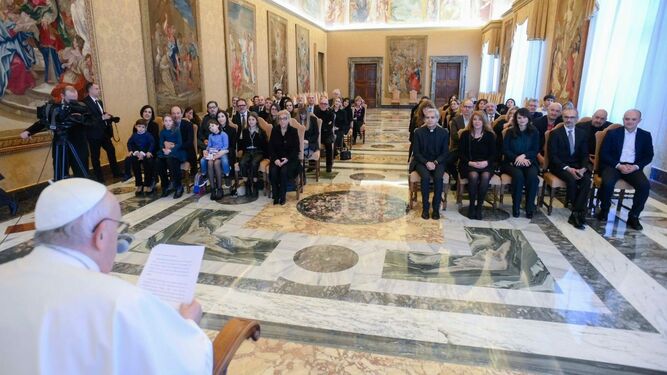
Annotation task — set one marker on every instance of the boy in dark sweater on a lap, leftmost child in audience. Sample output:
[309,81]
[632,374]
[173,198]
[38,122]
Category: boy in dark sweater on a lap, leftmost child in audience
[141,147]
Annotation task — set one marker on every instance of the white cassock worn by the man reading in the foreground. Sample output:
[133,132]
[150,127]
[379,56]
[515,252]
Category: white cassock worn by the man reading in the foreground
[60,315]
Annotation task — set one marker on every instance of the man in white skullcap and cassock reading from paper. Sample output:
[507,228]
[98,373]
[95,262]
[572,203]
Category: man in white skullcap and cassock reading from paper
[64,314]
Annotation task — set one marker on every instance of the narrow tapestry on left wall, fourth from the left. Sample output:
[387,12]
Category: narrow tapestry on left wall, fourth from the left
[277,28]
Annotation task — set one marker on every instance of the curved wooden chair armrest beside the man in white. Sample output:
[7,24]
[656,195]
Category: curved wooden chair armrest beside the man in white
[229,339]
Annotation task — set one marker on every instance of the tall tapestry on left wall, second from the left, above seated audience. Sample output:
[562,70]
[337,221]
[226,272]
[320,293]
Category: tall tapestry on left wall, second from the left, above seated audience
[171,47]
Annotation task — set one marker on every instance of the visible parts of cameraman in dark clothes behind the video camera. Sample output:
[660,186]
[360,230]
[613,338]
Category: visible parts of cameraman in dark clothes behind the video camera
[75,135]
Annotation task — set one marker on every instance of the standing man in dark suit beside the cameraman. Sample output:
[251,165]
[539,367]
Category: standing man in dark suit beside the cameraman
[99,132]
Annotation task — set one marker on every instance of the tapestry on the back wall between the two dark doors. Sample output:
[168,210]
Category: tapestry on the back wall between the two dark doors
[406,65]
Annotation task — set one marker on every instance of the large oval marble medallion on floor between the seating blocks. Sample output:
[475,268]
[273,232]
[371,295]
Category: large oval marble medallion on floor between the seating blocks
[352,207]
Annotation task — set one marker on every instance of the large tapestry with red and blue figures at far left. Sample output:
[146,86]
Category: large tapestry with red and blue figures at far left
[44,46]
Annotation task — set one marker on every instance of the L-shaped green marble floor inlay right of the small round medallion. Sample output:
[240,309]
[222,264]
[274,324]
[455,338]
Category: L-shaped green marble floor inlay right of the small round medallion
[502,258]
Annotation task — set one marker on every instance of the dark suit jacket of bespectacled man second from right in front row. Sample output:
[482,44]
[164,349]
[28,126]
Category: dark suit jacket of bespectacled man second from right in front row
[559,149]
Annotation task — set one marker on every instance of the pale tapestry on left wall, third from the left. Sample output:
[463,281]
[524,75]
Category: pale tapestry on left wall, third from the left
[241,43]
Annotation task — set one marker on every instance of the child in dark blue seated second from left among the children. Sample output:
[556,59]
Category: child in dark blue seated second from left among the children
[170,156]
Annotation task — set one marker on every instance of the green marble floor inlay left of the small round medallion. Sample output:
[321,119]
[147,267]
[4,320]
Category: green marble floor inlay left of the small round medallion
[198,227]
